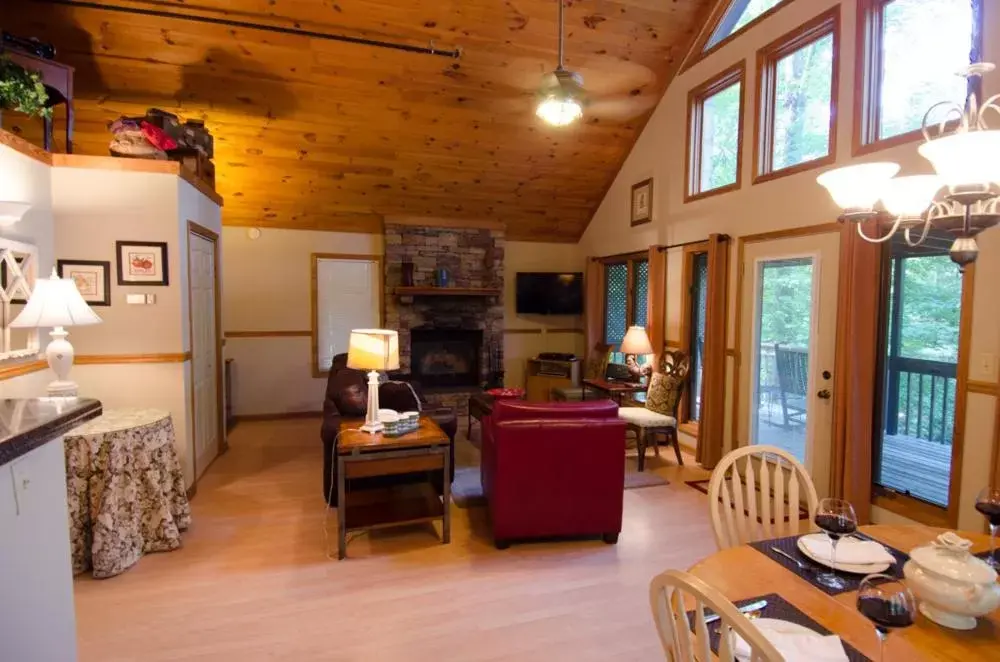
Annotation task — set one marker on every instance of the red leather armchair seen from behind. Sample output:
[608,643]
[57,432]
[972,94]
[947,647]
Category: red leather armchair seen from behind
[554,469]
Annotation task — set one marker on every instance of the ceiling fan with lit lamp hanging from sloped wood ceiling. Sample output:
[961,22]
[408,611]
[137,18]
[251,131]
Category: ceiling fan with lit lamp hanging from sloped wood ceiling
[562,97]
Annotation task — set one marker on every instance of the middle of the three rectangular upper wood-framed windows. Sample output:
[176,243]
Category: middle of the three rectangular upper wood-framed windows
[795,121]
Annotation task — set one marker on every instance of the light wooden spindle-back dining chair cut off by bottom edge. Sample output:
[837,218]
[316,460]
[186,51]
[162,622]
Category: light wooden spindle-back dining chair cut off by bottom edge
[667,594]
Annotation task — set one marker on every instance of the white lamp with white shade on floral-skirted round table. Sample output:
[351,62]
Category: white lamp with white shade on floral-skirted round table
[56,303]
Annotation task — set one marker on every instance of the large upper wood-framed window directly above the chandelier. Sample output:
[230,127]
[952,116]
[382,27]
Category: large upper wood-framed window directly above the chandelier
[910,51]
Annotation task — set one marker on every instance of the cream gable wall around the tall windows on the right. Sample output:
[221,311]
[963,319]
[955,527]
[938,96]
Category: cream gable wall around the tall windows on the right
[789,202]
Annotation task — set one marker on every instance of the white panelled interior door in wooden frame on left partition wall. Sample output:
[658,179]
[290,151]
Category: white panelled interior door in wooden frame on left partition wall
[204,350]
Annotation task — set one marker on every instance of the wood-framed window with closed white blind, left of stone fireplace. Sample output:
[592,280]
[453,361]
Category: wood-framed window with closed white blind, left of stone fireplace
[347,297]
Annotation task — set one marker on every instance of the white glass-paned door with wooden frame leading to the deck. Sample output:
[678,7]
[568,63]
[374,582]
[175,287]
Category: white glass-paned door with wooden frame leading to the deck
[788,340]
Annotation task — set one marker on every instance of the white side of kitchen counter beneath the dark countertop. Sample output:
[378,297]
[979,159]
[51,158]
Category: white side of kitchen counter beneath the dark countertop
[37,620]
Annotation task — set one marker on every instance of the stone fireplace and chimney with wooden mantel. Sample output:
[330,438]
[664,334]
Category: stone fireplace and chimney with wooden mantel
[449,343]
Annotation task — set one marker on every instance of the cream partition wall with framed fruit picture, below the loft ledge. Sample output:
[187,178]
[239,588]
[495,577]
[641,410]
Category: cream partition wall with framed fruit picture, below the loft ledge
[95,207]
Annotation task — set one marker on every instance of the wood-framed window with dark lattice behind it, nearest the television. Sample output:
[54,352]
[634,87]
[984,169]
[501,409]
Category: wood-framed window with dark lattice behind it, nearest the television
[626,287]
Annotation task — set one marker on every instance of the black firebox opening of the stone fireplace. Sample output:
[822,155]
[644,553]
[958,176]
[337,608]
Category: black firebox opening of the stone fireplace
[443,358]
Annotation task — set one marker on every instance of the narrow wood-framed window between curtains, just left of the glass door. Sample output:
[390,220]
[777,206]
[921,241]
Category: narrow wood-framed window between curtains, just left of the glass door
[694,284]
